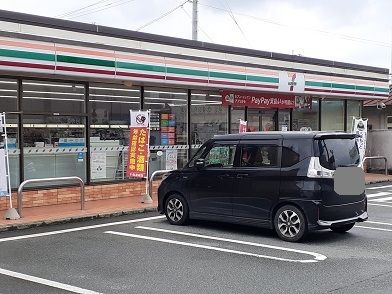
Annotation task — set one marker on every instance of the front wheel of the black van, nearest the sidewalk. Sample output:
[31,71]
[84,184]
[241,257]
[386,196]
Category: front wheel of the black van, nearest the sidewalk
[176,210]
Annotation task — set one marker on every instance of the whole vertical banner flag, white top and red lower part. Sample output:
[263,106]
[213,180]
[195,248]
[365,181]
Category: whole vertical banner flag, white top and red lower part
[138,145]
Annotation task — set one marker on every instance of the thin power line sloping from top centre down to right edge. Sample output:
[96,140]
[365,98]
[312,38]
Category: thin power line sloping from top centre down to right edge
[342,36]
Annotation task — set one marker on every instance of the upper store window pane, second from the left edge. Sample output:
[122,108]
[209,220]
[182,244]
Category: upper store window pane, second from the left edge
[52,97]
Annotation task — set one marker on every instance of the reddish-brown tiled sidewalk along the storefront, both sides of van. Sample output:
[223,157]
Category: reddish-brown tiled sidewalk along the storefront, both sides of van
[51,214]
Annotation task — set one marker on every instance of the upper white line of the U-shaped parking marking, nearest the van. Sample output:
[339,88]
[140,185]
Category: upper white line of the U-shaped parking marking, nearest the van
[317,256]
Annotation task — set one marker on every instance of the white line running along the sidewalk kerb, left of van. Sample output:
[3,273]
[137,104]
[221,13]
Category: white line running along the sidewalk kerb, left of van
[80,229]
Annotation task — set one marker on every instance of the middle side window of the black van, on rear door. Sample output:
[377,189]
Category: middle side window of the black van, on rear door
[259,156]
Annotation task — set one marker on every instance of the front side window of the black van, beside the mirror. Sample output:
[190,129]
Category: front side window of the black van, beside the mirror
[220,155]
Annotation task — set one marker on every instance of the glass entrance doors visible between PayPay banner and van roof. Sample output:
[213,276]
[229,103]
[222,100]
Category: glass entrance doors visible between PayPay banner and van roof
[262,120]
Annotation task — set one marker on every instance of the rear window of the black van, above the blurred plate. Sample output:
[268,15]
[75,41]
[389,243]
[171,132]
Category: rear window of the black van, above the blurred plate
[338,152]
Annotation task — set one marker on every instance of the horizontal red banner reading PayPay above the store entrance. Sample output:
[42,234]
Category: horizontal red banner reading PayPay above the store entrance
[257,100]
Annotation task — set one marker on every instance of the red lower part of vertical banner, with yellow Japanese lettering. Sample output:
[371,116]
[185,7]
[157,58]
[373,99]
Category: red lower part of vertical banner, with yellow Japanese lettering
[138,152]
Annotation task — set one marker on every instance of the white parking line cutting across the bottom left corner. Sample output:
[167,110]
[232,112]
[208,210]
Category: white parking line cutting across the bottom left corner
[46,282]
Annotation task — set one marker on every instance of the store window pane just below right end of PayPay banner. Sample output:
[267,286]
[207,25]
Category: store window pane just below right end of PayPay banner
[306,118]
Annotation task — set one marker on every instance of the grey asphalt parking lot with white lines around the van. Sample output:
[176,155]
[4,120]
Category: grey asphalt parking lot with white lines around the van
[144,254]
